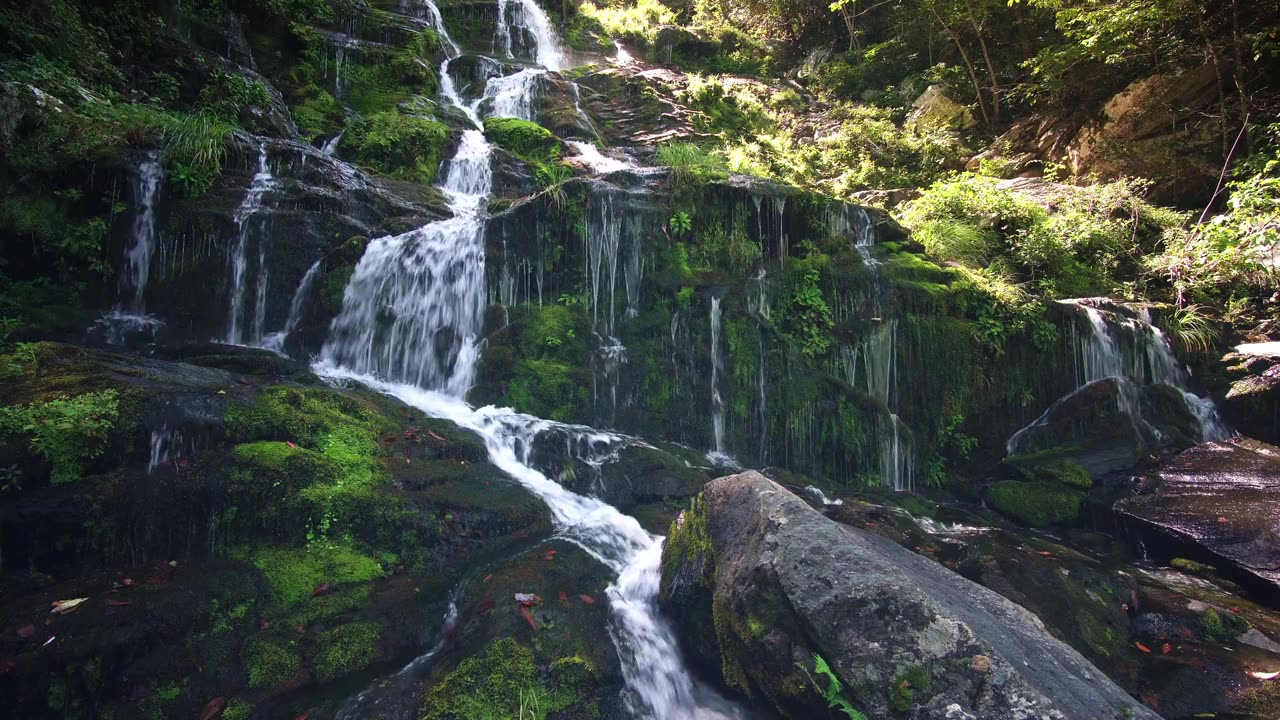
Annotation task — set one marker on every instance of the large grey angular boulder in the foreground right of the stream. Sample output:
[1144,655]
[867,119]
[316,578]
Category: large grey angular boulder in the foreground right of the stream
[783,585]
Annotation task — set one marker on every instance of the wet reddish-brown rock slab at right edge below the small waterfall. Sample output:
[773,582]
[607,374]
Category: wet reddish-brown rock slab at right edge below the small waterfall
[1218,503]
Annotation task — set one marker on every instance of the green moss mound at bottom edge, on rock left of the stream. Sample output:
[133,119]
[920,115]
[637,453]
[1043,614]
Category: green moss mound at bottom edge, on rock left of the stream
[487,687]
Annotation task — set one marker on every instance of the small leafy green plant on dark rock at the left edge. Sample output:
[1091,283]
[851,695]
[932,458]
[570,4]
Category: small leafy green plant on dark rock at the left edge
[67,431]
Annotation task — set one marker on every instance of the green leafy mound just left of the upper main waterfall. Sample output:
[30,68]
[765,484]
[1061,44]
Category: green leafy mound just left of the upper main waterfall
[403,147]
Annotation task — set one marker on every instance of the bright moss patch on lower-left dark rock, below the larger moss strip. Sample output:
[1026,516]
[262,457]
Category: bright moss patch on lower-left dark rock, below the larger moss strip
[295,573]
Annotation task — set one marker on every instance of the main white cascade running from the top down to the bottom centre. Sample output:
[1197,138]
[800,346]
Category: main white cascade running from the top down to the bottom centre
[410,326]
